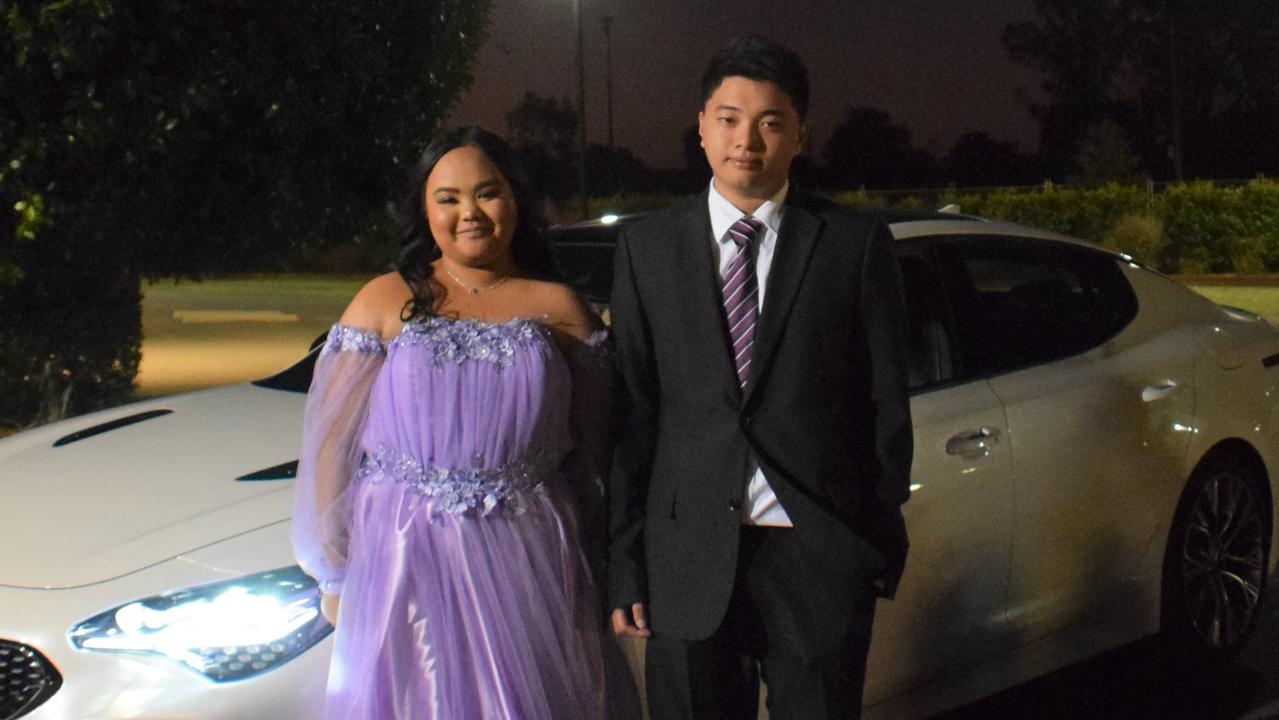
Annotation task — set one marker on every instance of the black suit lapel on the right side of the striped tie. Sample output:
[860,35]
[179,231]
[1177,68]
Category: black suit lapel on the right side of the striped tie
[796,242]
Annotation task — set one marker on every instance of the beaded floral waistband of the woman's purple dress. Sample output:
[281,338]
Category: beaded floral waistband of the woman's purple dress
[462,489]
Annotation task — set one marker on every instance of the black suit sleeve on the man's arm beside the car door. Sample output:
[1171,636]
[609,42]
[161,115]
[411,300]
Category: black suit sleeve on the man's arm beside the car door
[886,322]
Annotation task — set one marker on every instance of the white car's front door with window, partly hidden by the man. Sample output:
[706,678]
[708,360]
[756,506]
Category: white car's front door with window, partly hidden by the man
[950,612]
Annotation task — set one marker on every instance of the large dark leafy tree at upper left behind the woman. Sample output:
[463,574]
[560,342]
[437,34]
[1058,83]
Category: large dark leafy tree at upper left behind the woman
[175,137]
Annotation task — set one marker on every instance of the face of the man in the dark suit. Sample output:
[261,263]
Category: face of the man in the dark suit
[751,132]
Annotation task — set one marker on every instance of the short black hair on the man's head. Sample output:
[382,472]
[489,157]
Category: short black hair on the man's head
[763,61]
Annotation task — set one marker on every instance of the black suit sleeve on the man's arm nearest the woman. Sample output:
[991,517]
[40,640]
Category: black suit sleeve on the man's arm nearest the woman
[634,419]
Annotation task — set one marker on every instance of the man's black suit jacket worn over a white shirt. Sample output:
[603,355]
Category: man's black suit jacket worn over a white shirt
[826,412]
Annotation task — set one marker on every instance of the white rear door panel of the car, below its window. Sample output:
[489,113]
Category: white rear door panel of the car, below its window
[1093,470]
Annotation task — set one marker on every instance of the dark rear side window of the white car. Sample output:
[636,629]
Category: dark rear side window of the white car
[1021,302]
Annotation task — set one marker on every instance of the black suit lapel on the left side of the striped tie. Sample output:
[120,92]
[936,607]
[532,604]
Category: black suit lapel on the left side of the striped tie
[700,292]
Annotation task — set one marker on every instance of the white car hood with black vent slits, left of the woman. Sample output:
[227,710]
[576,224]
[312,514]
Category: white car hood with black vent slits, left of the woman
[107,494]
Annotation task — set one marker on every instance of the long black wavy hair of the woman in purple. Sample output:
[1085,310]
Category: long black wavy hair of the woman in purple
[419,250]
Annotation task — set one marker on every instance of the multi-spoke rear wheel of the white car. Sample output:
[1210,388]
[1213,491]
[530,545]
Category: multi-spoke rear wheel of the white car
[1216,567]
